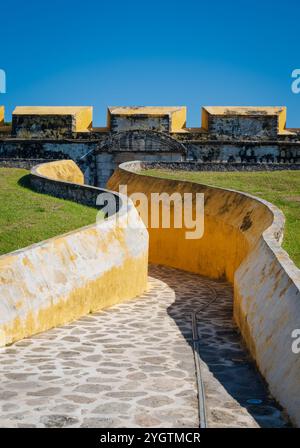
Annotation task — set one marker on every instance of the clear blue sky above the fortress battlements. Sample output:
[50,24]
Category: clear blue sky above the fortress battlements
[153,52]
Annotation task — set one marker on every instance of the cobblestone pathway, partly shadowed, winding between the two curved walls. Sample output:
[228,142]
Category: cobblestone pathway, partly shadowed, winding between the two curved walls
[132,365]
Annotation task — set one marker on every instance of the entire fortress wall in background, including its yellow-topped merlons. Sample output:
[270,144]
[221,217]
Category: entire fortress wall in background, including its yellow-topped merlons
[239,136]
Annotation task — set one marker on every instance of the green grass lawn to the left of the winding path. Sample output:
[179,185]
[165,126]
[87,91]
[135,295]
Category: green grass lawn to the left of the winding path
[27,217]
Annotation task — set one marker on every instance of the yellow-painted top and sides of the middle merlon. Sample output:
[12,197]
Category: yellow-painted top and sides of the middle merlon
[176,114]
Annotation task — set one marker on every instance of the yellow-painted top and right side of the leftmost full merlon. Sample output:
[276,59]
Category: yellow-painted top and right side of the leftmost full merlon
[83,115]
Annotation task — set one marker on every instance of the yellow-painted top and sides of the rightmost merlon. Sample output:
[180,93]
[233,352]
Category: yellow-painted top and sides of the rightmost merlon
[245,111]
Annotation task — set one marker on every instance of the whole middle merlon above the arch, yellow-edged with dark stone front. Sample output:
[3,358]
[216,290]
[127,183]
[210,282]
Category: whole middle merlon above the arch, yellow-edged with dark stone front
[164,119]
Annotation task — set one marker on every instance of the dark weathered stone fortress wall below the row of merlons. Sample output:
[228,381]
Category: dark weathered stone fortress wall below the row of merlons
[98,159]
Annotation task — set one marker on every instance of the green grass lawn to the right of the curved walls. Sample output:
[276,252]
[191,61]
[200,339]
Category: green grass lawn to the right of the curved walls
[282,188]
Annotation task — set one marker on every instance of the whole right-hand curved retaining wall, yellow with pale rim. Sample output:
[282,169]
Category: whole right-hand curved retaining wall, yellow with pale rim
[241,242]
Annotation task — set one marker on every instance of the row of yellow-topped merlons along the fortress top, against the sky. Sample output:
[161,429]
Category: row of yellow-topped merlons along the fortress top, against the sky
[219,122]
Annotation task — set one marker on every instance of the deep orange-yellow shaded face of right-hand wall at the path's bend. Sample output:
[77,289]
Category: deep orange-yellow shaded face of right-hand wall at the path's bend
[223,246]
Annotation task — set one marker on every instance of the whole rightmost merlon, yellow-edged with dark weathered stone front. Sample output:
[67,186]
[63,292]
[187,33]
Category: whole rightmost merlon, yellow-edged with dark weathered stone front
[244,121]
